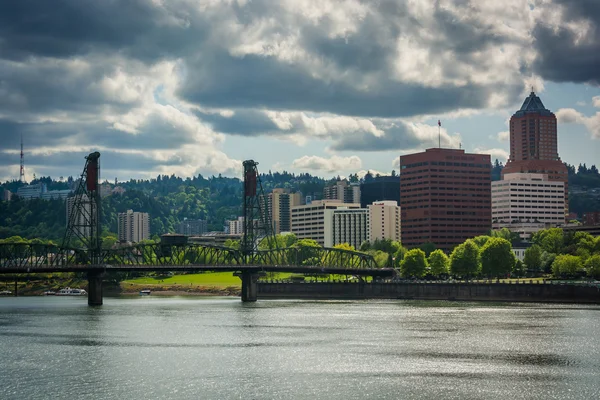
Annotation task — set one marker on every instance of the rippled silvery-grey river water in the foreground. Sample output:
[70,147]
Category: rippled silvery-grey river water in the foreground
[218,348]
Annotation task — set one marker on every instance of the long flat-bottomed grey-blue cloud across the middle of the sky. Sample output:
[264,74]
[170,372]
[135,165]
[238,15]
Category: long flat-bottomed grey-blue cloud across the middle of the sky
[263,82]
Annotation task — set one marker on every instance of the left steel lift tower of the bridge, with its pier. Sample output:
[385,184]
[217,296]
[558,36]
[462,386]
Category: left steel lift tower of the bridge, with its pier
[84,212]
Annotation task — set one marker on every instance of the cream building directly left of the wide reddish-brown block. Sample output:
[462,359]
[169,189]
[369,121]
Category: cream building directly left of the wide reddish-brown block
[384,221]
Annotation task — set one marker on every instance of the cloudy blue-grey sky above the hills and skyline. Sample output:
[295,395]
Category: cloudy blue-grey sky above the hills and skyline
[191,87]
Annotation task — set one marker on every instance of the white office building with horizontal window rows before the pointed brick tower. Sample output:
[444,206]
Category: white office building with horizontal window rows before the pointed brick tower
[527,203]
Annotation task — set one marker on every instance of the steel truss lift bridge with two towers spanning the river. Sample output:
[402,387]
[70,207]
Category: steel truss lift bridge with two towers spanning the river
[248,263]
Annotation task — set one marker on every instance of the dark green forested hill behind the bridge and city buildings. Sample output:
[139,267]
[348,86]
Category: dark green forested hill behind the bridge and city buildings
[170,199]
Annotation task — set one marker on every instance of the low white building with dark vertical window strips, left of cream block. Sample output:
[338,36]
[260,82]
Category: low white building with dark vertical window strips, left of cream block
[346,225]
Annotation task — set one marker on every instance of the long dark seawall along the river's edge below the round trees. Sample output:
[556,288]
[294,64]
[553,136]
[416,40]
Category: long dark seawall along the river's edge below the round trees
[522,292]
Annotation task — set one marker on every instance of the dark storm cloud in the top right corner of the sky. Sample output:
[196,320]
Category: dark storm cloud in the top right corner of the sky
[562,56]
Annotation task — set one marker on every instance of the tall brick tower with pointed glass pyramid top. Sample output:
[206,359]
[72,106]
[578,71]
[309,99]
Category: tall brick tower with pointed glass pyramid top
[534,144]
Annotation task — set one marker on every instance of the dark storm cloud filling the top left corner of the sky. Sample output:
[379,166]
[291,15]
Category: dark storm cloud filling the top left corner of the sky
[64,28]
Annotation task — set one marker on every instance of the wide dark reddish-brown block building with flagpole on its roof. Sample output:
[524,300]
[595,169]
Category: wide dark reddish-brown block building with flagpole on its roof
[446,197]
